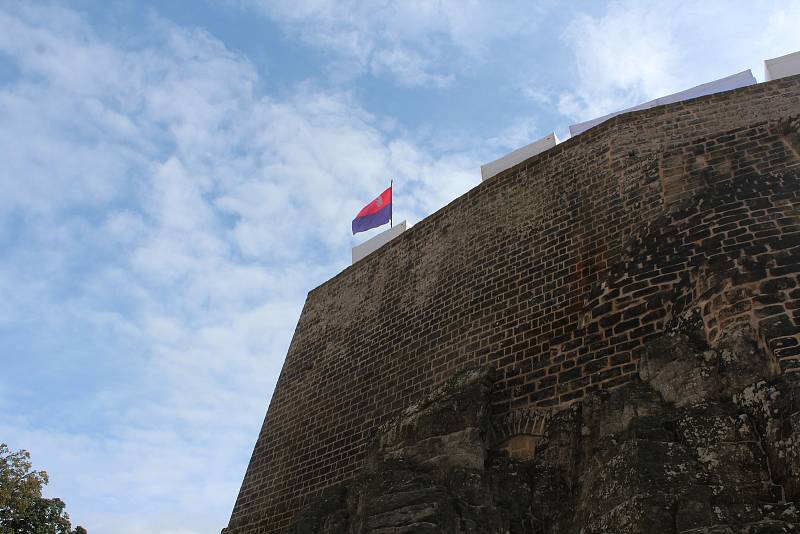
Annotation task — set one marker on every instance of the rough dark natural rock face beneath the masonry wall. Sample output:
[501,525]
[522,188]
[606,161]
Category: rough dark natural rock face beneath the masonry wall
[708,441]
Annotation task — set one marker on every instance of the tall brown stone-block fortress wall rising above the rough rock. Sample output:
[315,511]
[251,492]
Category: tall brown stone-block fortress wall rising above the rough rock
[556,272]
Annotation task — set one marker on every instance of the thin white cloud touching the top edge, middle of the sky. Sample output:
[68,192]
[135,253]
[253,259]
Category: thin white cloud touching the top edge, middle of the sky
[414,43]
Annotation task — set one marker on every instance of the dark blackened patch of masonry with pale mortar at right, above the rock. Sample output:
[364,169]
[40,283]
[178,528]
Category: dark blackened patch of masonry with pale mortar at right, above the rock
[731,252]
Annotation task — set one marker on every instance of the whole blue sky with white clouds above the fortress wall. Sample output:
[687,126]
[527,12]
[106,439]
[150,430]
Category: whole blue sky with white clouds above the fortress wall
[177,175]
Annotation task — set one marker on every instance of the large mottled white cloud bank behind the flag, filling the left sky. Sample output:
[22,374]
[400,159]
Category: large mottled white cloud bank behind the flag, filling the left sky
[168,221]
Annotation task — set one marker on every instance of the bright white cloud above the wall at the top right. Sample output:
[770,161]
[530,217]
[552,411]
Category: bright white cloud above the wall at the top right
[635,52]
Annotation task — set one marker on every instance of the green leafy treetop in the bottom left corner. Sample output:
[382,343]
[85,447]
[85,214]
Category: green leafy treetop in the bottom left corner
[23,510]
